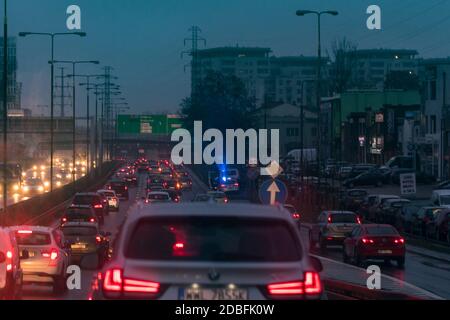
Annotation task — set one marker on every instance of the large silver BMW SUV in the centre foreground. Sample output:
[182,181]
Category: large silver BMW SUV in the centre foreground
[208,251]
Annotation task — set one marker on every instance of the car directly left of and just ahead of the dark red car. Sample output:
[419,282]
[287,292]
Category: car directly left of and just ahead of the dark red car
[332,227]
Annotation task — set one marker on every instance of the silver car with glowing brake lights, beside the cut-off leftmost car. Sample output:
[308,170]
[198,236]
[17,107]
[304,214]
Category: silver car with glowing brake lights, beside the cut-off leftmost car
[47,259]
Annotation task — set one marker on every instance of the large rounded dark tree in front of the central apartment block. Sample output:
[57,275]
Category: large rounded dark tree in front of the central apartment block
[220,102]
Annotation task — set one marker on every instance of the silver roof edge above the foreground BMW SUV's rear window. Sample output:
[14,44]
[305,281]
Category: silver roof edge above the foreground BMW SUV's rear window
[246,210]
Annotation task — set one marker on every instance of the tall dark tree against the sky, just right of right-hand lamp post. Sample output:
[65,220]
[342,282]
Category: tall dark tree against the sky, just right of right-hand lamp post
[343,55]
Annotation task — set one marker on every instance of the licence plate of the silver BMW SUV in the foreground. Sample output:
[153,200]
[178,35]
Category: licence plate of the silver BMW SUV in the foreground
[213,294]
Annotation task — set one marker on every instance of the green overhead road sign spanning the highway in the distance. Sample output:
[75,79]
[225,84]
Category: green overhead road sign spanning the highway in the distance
[148,124]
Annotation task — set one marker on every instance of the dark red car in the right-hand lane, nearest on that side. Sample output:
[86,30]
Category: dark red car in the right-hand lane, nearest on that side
[374,242]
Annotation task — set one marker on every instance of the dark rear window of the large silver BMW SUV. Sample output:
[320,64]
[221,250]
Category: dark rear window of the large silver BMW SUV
[213,239]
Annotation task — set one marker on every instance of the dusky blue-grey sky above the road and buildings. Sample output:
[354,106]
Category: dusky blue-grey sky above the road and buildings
[142,39]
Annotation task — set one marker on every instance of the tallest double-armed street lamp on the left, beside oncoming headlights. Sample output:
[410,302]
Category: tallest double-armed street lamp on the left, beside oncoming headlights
[52,70]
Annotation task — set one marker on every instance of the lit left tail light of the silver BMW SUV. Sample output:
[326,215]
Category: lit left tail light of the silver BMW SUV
[115,282]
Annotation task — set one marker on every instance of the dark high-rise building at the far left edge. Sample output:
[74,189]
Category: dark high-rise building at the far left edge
[14,88]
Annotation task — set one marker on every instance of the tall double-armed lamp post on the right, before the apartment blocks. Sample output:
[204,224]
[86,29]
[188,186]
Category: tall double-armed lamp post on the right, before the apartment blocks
[319,14]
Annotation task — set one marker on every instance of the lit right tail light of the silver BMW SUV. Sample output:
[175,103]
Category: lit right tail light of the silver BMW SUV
[311,285]
